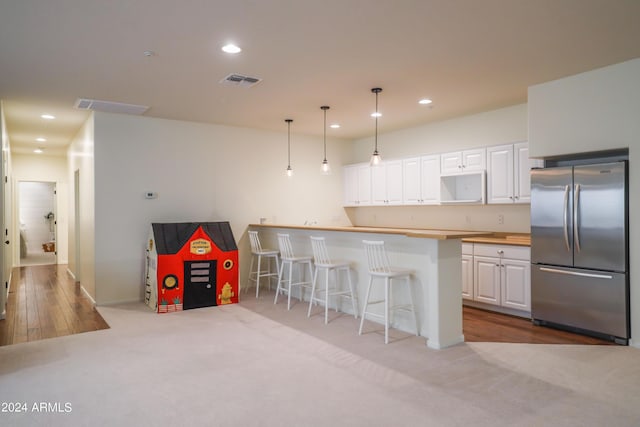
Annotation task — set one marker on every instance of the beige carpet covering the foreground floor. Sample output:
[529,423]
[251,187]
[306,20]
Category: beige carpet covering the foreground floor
[256,364]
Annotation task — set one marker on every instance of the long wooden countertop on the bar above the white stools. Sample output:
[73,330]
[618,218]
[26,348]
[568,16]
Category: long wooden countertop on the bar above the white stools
[409,232]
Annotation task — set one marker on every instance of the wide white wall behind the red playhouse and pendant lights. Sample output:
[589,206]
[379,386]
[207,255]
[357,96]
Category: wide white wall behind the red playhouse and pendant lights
[201,172]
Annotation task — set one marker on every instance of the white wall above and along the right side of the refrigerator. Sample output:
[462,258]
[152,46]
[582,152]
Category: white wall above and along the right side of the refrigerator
[593,111]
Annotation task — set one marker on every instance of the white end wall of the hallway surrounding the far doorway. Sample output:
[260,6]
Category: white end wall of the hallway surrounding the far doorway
[49,169]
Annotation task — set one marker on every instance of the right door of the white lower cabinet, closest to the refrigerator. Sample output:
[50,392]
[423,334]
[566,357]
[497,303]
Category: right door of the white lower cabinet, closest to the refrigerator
[516,284]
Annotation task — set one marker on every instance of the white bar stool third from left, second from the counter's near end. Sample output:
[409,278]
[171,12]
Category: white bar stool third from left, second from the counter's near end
[323,262]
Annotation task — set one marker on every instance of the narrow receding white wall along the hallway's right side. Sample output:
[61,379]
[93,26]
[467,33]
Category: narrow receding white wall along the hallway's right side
[80,157]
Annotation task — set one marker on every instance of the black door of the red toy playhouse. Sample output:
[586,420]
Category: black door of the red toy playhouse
[199,284]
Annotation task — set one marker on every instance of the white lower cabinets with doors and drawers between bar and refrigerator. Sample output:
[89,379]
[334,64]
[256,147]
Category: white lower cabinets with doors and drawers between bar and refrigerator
[501,276]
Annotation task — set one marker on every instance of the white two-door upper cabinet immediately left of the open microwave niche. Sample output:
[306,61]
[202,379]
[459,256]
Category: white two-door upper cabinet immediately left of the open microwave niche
[421,180]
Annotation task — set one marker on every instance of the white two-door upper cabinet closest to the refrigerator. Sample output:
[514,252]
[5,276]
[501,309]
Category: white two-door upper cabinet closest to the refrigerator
[509,173]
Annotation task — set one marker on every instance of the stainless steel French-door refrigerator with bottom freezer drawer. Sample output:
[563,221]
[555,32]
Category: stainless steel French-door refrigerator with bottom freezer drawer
[579,249]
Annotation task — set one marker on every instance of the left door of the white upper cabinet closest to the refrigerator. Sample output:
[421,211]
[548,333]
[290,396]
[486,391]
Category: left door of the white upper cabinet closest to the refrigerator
[500,174]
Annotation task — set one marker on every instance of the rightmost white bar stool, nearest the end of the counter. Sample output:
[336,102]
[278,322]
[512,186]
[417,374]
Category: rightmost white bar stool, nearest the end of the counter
[379,268]
